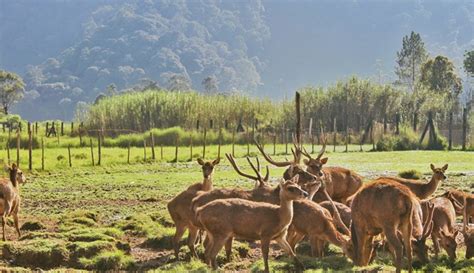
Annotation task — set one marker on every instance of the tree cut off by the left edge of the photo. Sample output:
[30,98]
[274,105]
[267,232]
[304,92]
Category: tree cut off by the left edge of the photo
[12,89]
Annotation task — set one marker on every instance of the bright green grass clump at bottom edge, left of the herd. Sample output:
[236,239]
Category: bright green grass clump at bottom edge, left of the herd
[108,260]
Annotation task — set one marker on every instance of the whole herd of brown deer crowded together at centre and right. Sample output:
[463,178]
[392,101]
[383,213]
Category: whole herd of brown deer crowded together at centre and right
[324,205]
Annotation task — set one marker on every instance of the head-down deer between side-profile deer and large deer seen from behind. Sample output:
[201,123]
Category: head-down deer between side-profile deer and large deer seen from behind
[312,220]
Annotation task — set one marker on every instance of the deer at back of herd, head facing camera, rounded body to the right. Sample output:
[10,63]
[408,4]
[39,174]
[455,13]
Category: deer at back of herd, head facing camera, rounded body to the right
[339,183]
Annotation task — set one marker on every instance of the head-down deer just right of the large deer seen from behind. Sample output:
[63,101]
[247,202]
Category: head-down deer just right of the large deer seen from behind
[444,233]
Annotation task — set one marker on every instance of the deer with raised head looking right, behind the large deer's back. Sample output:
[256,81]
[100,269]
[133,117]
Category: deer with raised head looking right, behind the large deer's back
[423,190]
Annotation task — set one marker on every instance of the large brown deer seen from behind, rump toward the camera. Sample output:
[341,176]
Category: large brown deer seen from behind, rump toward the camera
[384,206]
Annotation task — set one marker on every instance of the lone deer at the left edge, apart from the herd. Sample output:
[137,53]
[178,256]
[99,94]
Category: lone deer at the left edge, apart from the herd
[10,196]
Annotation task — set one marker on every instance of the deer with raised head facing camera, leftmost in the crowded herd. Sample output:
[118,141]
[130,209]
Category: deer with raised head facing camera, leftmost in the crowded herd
[180,207]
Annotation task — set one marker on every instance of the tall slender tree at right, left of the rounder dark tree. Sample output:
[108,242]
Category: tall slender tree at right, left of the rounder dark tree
[409,60]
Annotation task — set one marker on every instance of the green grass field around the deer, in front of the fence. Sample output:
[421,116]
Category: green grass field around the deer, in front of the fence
[114,216]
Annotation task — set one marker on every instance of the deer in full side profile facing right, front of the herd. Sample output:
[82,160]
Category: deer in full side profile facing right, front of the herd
[226,218]
